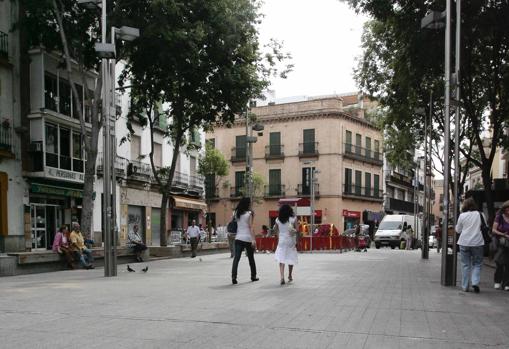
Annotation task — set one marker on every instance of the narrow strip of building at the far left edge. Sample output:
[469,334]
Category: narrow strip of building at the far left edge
[12,185]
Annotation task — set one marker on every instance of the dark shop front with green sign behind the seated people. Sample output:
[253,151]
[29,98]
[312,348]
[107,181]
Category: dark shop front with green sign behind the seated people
[52,205]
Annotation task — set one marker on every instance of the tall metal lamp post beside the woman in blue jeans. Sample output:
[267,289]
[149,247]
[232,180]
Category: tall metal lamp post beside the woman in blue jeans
[434,20]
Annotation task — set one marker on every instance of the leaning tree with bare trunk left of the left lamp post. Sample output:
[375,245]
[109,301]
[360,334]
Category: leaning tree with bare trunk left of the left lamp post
[62,27]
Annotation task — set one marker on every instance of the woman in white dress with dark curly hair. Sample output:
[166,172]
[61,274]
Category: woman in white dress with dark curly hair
[286,252]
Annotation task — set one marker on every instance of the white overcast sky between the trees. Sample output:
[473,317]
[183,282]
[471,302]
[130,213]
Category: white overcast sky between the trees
[323,37]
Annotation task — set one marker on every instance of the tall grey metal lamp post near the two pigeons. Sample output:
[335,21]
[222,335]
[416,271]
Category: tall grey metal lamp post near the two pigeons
[106,51]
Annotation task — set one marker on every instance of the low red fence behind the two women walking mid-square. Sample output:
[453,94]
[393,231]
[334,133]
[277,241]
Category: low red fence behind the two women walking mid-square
[319,243]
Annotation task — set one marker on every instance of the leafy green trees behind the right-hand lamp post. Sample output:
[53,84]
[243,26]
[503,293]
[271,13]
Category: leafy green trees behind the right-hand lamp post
[401,64]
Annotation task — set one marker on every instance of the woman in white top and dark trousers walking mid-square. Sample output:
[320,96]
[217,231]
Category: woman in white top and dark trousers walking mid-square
[244,239]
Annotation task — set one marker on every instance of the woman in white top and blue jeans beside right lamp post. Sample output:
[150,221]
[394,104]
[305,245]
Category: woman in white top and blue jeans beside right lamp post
[471,245]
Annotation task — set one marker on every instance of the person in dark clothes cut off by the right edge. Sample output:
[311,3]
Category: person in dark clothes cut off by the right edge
[501,231]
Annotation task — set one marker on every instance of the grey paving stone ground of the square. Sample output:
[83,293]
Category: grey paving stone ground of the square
[380,299]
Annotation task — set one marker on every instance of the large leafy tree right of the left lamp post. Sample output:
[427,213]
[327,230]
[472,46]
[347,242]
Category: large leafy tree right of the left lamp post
[201,60]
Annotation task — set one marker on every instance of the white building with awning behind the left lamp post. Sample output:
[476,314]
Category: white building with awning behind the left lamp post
[138,200]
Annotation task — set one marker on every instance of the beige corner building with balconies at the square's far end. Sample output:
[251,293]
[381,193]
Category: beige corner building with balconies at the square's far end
[331,134]
